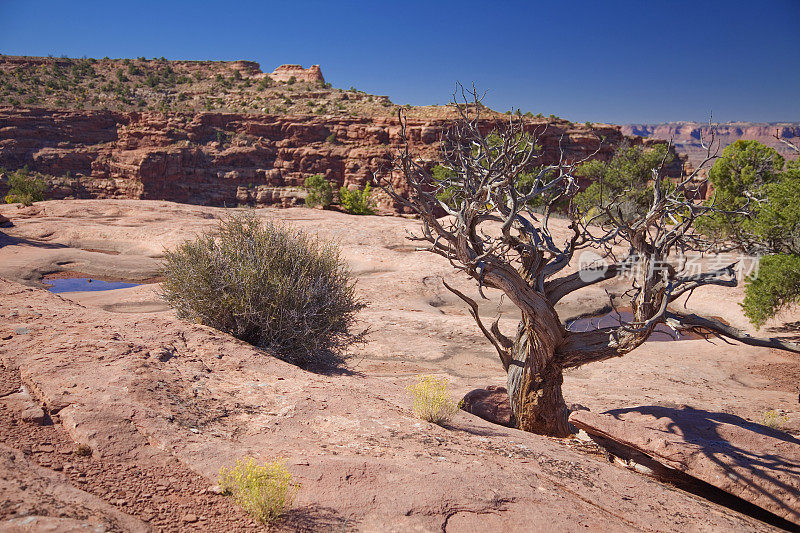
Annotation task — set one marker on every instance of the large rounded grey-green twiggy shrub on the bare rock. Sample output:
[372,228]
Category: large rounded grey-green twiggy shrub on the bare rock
[270,285]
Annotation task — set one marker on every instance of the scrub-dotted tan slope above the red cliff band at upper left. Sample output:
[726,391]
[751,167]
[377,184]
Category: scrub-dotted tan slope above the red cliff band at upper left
[162,85]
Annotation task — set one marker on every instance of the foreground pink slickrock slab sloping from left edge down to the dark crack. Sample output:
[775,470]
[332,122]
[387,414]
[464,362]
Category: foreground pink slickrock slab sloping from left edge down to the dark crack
[357,451]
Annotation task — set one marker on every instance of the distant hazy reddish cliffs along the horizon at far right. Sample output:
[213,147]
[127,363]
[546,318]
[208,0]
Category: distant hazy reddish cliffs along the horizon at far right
[687,136]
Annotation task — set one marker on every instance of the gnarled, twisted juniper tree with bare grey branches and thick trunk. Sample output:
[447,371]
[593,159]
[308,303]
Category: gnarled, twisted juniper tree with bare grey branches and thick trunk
[492,231]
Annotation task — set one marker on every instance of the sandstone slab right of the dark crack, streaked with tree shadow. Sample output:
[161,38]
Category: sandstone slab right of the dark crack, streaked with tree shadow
[754,462]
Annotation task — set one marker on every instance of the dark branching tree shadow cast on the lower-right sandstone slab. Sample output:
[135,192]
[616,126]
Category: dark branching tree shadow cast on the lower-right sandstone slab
[701,428]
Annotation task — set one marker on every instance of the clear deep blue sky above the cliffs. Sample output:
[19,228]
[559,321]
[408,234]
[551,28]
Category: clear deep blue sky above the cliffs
[599,61]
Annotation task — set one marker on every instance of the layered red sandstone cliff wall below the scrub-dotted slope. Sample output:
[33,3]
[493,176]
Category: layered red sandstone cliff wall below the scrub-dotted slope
[229,159]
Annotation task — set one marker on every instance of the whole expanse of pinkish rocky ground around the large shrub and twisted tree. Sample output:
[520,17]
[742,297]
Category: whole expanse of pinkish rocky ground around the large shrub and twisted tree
[159,405]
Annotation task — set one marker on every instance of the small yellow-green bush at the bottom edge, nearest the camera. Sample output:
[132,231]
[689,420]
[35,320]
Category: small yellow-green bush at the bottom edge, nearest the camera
[264,492]
